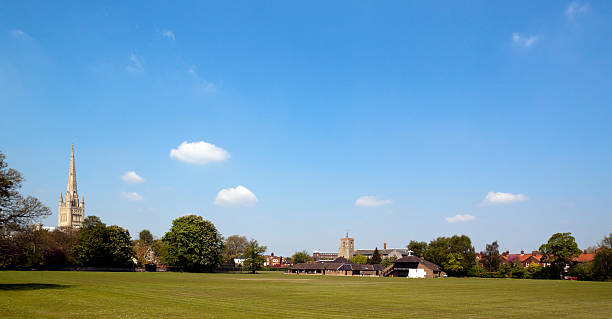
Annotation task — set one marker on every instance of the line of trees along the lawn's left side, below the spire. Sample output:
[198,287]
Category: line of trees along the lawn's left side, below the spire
[191,244]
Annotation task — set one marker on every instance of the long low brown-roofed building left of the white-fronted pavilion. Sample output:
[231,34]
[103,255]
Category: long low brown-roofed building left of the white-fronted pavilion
[338,267]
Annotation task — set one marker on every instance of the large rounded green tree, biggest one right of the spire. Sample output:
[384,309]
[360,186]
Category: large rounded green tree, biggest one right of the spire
[193,243]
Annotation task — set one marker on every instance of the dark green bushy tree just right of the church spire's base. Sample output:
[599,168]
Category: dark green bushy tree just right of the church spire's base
[99,245]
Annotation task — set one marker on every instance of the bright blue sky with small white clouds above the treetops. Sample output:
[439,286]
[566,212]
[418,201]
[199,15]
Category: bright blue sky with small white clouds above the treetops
[397,121]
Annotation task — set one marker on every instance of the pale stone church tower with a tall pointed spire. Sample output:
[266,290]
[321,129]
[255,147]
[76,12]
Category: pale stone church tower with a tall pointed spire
[71,212]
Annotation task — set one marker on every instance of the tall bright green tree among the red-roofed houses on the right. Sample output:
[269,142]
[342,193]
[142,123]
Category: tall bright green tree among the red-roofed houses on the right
[560,249]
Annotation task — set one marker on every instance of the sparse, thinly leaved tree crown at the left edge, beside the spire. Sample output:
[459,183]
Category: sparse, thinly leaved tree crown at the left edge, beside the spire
[16,211]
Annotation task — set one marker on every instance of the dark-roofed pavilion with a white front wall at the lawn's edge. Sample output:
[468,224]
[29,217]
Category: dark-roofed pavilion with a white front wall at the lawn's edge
[413,267]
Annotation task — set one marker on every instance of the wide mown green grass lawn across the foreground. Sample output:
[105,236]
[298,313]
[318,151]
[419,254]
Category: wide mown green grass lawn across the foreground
[31,294]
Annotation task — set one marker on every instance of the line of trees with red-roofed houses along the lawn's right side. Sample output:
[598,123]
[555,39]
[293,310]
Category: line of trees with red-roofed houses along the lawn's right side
[457,257]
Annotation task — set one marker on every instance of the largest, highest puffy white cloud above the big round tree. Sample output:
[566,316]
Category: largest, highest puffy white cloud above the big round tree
[199,153]
